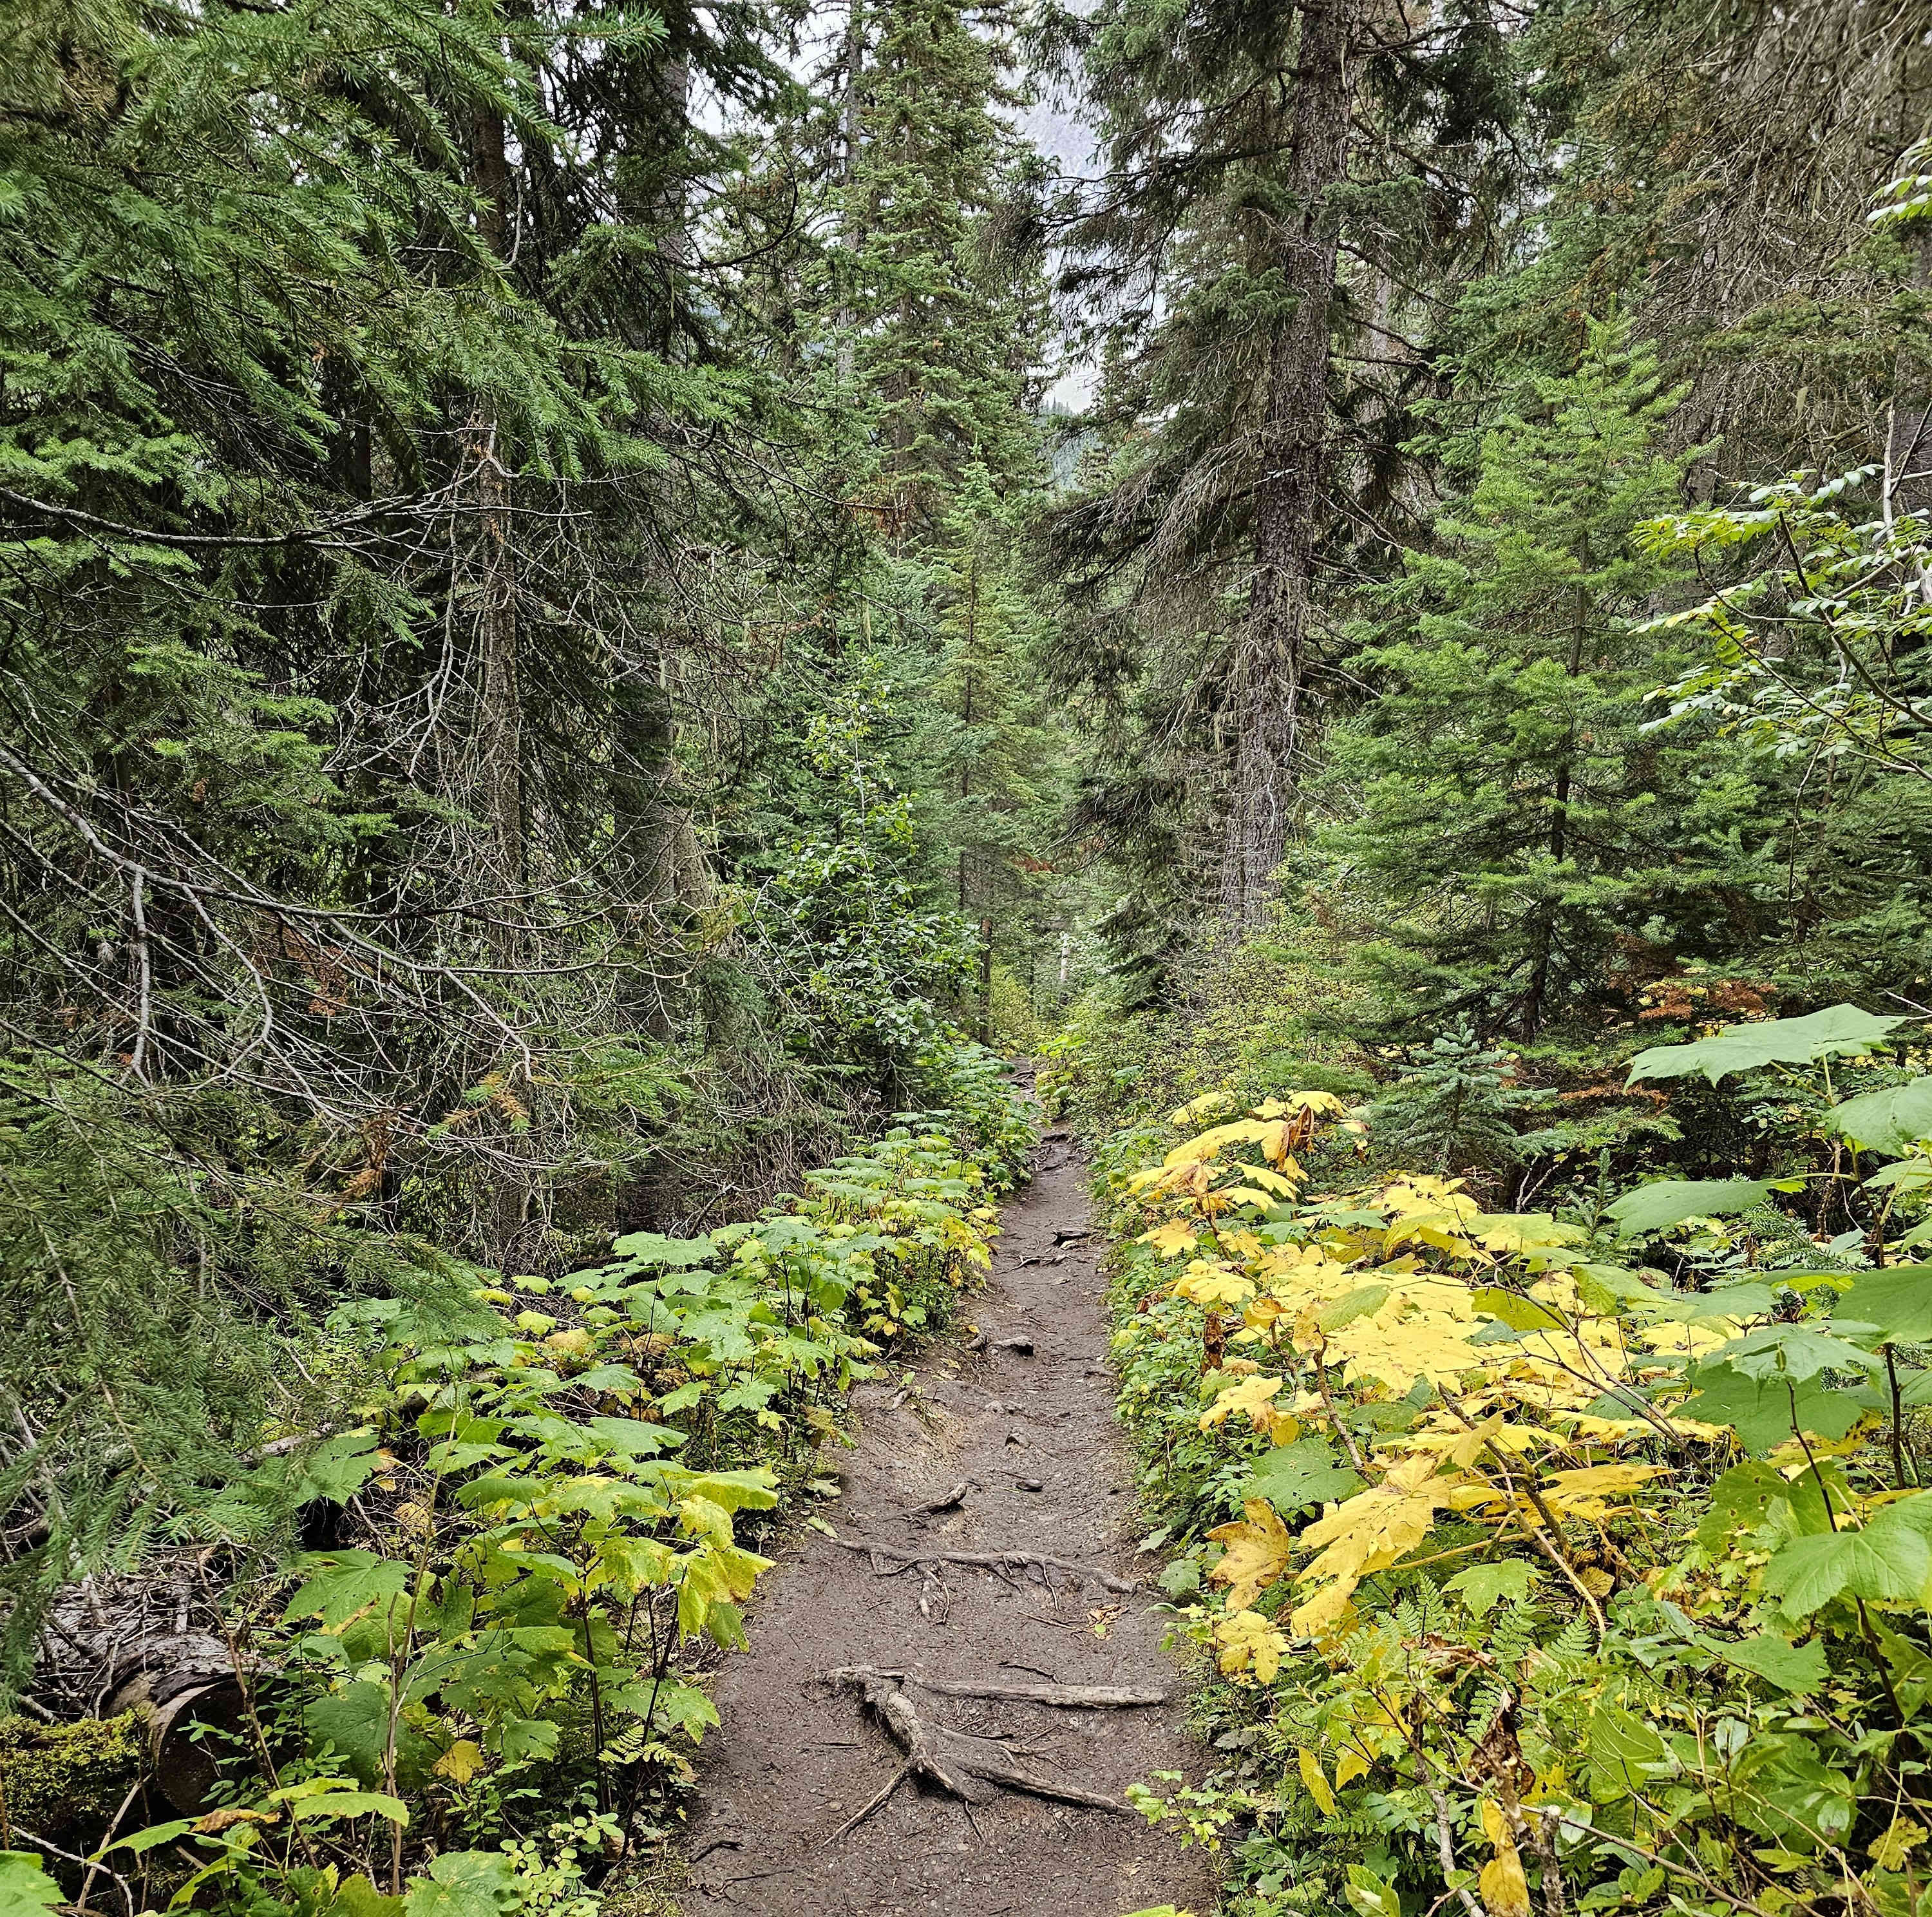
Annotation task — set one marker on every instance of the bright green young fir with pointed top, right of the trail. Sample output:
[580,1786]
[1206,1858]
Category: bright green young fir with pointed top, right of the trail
[1510,801]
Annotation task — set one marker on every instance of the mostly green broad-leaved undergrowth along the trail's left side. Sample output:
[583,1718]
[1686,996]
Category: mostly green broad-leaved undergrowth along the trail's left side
[528,1516]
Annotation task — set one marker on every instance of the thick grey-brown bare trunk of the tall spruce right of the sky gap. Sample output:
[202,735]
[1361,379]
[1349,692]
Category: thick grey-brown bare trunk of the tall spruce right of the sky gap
[1266,683]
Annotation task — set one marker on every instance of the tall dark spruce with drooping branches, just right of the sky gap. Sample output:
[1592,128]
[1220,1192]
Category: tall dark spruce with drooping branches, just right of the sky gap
[1243,150]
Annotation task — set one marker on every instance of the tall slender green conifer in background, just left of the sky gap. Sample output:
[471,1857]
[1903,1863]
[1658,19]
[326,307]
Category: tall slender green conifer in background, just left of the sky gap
[923,339]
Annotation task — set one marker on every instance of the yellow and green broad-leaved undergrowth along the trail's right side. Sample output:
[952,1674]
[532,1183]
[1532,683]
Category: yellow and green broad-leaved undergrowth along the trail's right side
[1541,1560]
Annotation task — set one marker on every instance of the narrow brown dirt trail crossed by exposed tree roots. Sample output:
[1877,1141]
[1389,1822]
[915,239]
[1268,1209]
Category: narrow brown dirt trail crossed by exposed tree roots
[1033,1439]
